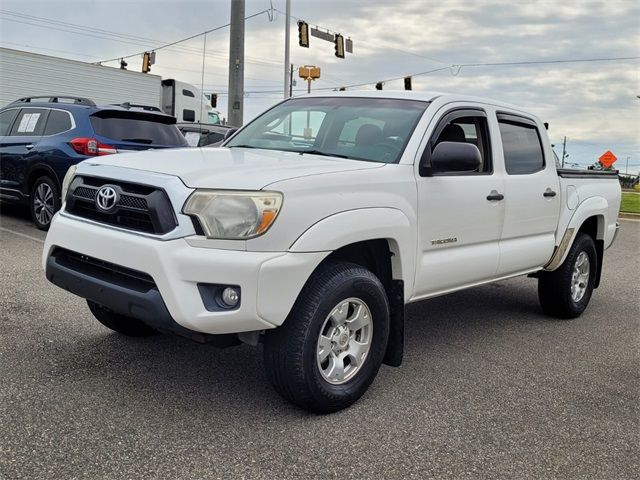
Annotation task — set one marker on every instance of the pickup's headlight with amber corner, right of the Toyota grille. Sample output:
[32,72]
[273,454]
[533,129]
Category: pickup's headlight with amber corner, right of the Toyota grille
[234,215]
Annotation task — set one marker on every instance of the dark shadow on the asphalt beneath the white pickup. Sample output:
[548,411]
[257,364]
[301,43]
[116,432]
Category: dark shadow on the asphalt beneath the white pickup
[181,374]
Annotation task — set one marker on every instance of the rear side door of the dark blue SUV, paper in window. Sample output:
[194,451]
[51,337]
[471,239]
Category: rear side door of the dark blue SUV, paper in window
[20,147]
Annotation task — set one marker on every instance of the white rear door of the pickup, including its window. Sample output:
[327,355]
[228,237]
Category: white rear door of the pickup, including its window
[532,200]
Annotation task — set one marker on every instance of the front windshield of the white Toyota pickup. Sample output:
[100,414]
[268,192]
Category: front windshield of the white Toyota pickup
[371,129]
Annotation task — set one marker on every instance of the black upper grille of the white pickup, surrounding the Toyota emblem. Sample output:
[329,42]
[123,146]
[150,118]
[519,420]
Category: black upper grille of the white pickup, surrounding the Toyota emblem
[139,207]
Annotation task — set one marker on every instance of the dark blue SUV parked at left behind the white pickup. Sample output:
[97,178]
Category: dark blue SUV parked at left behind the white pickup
[41,137]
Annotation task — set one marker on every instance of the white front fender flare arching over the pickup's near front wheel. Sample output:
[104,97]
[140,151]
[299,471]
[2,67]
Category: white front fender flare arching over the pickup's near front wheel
[352,226]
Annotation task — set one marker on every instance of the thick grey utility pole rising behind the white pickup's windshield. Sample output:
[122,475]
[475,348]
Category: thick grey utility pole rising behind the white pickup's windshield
[236,64]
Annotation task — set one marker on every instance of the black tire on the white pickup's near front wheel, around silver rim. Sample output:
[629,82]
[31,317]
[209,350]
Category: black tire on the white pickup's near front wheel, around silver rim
[290,351]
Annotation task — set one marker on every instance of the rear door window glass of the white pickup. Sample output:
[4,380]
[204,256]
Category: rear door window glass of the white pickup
[522,148]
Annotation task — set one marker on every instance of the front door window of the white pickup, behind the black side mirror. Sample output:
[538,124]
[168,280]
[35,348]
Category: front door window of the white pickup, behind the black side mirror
[467,129]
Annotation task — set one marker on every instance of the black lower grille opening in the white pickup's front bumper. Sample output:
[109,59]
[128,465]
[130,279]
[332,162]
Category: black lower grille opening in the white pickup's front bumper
[110,272]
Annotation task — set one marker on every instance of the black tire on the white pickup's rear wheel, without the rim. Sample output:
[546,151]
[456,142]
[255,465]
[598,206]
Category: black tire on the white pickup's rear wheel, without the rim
[554,288]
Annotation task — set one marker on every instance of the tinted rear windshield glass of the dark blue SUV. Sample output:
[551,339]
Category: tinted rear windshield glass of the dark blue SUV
[140,128]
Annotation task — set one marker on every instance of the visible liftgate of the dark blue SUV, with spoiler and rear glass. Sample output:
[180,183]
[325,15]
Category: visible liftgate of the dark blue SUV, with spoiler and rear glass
[136,130]
